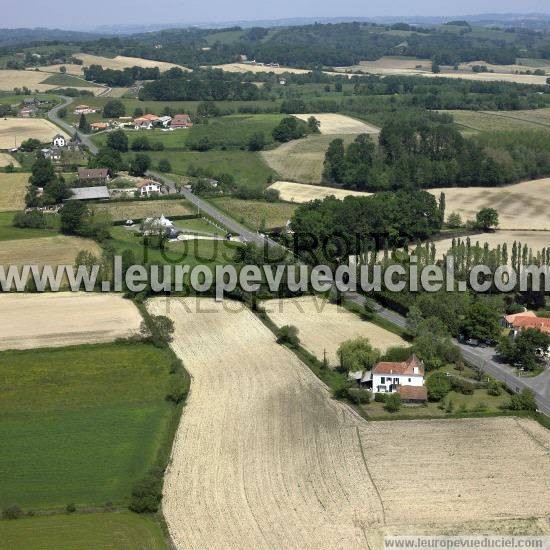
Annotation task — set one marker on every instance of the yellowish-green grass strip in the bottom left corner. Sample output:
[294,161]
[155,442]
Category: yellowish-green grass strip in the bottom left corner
[101,531]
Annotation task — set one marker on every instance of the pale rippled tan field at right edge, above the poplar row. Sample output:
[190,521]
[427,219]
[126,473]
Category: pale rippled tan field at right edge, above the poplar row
[523,205]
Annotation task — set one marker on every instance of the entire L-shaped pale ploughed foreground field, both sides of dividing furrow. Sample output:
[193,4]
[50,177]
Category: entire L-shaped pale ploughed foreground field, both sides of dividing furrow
[264,458]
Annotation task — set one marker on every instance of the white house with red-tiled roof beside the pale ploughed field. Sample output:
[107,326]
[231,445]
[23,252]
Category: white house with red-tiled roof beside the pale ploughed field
[405,378]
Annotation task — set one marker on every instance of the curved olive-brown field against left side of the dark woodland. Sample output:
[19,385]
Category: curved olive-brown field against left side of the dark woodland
[302,159]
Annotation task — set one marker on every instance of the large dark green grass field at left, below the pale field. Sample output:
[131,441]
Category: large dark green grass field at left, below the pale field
[81,424]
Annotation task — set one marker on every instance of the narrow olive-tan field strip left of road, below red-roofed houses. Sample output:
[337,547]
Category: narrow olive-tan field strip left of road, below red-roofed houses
[126,210]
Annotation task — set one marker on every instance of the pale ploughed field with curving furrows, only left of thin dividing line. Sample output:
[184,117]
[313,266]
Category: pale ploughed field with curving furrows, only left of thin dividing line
[263,457]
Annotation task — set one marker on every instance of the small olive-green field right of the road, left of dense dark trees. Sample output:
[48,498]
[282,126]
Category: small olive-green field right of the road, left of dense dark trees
[255,213]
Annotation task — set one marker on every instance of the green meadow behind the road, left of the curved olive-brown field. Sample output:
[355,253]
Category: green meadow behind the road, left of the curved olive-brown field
[248,168]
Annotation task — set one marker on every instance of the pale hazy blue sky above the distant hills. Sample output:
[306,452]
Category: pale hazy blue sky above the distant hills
[66,14]
